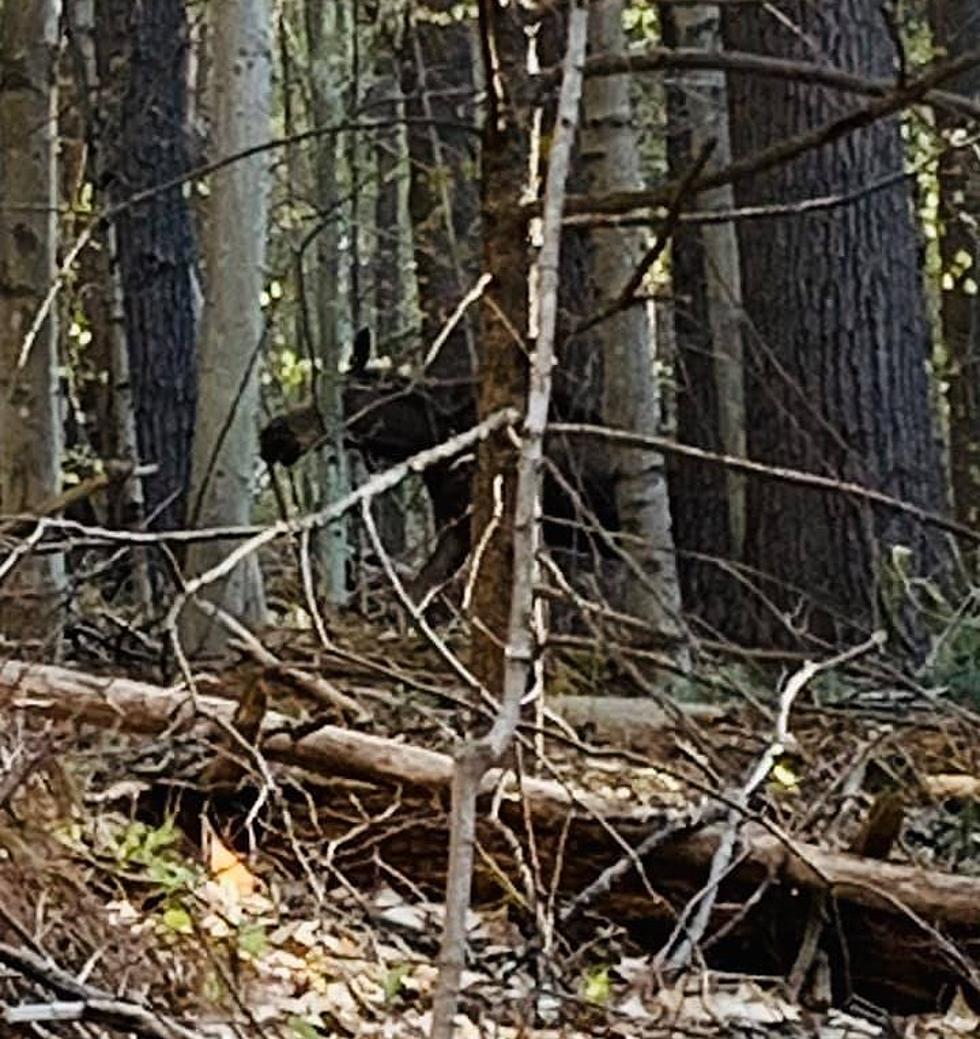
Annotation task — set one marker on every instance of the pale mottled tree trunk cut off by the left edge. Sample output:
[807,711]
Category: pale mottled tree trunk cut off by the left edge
[31,424]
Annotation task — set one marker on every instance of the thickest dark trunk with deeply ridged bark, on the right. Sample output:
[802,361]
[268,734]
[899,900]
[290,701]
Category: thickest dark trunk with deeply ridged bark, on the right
[837,355]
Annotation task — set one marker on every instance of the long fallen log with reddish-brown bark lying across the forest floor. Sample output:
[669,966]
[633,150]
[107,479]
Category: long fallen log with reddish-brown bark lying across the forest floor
[331,752]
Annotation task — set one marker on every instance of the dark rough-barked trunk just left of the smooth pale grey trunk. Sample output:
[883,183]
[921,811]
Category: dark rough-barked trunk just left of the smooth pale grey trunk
[142,54]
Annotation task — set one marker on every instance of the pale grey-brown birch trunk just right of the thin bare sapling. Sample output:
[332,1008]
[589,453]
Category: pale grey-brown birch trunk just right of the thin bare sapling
[630,396]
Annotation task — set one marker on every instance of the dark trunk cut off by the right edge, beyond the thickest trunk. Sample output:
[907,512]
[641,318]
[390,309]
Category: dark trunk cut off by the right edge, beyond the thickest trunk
[957,29]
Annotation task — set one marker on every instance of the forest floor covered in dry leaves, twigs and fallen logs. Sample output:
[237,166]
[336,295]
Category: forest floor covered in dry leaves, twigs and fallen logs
[298,892]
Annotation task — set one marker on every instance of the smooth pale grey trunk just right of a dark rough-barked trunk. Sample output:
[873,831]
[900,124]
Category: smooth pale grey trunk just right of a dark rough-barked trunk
[226,446]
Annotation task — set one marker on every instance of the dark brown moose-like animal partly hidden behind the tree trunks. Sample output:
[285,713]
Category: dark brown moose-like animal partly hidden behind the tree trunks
[390,418]
